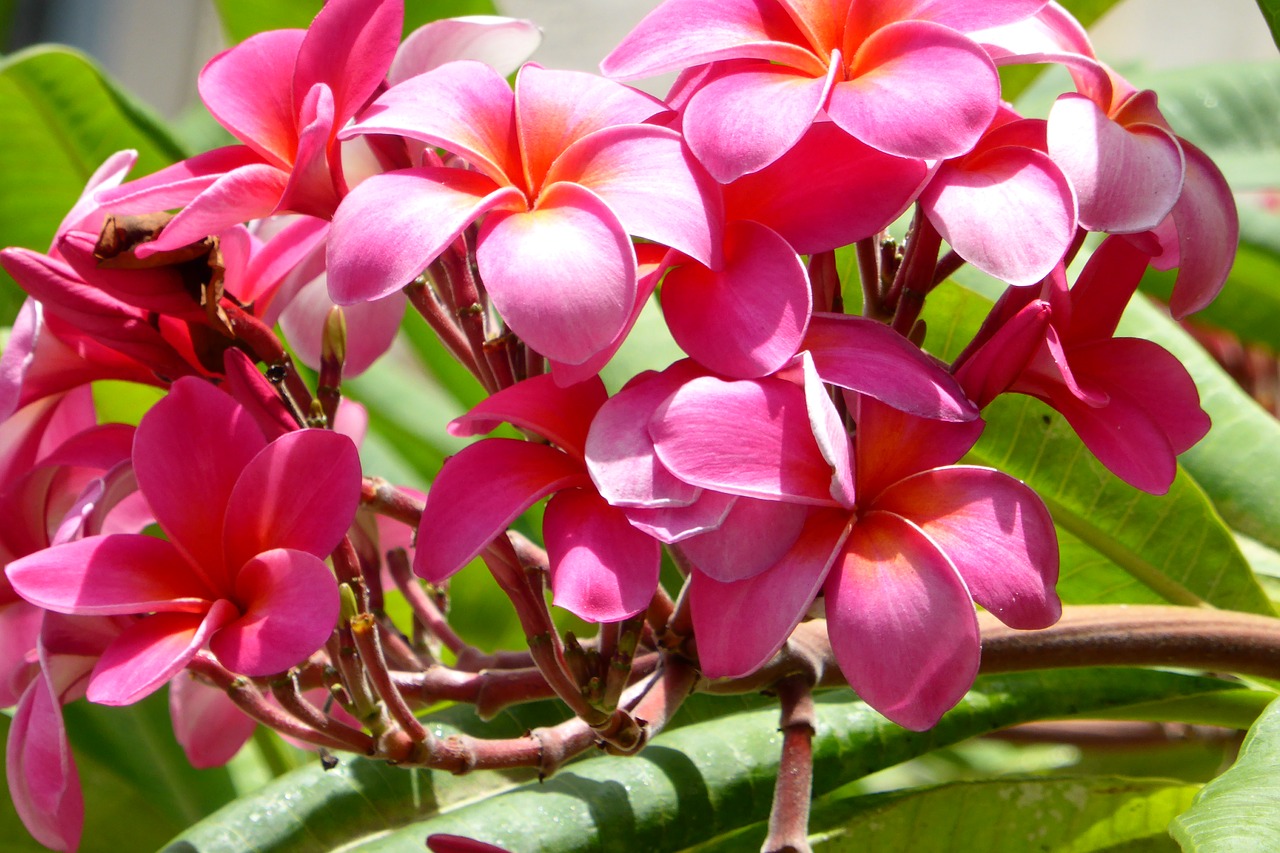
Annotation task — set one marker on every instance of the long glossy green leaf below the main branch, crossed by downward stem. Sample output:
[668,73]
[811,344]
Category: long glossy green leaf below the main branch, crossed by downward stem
[689,786]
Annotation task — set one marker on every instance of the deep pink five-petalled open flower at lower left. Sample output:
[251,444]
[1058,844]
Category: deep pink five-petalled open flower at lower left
[243,571]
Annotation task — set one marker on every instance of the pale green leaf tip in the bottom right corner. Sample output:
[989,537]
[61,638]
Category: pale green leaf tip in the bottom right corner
[1240,811]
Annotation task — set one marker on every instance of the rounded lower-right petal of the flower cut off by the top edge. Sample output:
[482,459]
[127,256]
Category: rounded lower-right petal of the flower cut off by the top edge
[918,90]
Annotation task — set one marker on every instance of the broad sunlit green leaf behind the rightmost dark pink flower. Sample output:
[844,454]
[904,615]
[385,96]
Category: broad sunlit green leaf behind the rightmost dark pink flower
[1177,545]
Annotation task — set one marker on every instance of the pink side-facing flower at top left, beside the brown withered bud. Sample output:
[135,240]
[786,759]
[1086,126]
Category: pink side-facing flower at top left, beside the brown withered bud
[285,94]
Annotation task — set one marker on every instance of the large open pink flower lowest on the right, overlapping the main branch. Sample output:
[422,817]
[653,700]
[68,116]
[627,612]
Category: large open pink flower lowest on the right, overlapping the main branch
[899,541]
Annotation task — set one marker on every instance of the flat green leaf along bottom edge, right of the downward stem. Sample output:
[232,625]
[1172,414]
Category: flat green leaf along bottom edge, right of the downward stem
[1090,815]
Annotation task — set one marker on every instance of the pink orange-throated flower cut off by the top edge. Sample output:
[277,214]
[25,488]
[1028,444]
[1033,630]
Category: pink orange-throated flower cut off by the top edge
[899,76]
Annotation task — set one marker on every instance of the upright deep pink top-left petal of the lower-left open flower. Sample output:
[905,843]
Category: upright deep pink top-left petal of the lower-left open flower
[189,482]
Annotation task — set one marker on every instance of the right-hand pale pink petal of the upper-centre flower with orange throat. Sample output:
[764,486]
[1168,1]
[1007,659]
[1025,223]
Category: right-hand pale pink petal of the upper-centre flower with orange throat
[647,176]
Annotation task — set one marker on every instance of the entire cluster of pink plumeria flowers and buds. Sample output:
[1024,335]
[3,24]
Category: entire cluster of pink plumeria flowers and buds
[802,462]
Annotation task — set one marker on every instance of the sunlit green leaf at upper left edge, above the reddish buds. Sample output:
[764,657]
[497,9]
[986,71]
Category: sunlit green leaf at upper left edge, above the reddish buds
[63,117]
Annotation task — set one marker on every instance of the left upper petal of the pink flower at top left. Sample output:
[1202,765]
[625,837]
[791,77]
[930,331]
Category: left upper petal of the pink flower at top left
[250,92]
